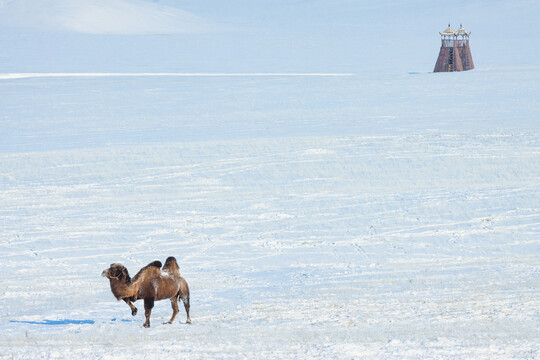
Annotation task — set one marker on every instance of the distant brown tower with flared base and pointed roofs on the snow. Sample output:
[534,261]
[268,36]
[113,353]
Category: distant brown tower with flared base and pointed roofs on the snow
[455,53]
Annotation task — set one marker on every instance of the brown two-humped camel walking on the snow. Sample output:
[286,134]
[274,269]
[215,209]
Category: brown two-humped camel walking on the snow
[152,283]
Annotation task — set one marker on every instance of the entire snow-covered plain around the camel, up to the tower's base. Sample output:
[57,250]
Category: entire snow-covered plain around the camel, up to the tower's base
[364,216]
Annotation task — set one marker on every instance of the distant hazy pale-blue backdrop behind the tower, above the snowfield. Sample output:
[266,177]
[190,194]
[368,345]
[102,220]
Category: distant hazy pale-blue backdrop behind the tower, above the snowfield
[271,36]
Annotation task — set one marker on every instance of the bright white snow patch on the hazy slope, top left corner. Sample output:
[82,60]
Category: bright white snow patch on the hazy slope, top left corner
[100,17]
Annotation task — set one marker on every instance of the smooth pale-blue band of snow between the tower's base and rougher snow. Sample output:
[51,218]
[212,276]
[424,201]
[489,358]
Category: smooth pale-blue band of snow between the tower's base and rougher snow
[90,112]
